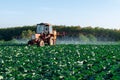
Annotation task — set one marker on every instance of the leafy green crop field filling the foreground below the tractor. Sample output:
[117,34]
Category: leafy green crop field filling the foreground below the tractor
[69,62]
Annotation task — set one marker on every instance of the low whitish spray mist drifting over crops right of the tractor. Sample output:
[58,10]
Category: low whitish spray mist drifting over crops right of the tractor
[73,40]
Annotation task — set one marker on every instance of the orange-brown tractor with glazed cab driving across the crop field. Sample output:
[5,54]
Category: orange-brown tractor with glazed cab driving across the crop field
[44,35]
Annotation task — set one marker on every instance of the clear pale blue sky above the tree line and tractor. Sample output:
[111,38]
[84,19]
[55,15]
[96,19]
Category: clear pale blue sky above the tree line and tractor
[95,13]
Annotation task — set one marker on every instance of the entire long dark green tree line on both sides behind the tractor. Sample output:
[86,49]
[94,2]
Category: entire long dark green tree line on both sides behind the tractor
[99,34]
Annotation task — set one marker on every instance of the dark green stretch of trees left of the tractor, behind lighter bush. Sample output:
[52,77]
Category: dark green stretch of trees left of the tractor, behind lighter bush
[15,32]
